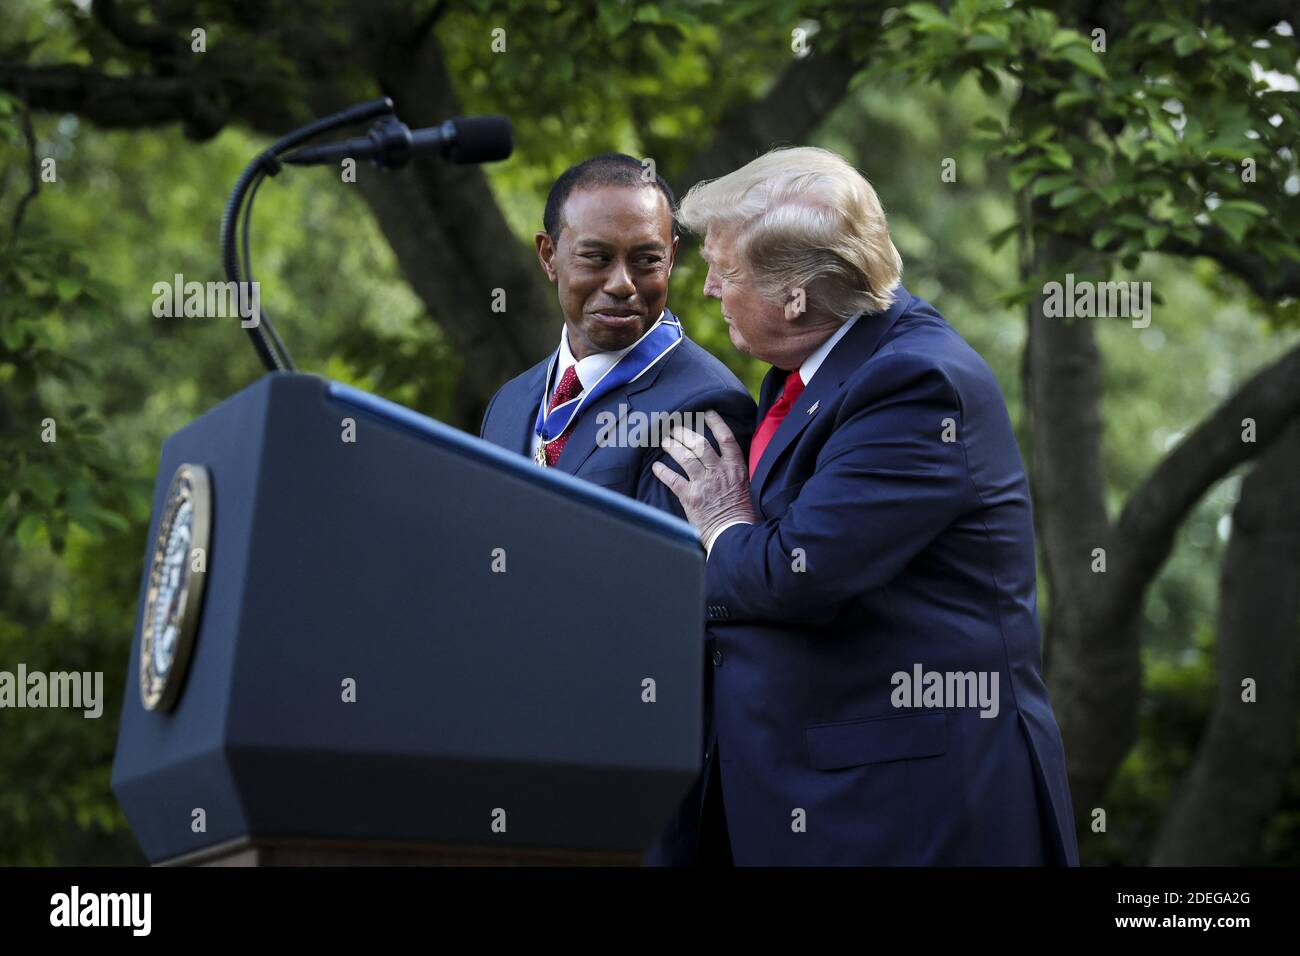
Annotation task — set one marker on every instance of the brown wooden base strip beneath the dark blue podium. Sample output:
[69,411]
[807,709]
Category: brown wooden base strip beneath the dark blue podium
[284,851]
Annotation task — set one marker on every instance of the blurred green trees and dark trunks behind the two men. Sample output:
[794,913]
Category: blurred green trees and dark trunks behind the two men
[1121,163]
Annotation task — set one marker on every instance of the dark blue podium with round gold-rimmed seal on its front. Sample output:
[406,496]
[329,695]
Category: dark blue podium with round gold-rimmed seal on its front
[383,641]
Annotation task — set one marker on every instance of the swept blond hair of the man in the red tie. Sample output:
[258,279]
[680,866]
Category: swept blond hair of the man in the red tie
[805,219]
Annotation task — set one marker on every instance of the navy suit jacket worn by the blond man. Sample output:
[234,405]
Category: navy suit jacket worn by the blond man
[894,530]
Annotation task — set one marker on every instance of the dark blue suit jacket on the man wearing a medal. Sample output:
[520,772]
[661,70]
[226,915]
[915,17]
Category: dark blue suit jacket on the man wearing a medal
[688,380]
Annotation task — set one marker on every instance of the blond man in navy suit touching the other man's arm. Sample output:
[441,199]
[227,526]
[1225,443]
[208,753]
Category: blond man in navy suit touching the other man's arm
[872,570]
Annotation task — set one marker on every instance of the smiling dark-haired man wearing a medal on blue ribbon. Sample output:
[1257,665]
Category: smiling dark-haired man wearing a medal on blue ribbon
[609,244]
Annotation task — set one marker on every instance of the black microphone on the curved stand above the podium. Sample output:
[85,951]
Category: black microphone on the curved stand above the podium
[392,144]
